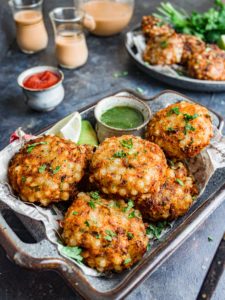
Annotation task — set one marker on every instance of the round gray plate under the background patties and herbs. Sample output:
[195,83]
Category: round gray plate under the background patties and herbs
[177,81]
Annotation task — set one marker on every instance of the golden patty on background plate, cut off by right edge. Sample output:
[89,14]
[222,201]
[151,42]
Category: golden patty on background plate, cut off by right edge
[208,65]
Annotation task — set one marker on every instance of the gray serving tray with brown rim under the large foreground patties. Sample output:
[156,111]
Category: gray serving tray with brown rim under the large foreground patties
[44,255]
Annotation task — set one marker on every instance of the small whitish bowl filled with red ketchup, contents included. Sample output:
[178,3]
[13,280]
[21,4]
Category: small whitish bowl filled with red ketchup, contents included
[42,87]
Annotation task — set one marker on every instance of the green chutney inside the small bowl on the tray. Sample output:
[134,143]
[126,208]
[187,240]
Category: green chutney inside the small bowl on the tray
[122,117]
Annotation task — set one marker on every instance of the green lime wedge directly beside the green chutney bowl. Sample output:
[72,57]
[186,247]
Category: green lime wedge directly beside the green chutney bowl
[88,135]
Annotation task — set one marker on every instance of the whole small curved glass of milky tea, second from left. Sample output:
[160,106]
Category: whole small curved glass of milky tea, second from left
[70,42]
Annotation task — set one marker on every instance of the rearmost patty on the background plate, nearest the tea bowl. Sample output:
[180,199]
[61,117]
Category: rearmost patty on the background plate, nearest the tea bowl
[154,27]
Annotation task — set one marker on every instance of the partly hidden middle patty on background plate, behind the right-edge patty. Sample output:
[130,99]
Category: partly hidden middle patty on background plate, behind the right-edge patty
[192,45]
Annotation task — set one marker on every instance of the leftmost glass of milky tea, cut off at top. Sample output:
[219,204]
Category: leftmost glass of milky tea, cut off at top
[31,33]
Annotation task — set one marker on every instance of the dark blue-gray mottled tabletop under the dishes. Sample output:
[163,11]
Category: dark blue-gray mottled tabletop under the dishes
[181,276]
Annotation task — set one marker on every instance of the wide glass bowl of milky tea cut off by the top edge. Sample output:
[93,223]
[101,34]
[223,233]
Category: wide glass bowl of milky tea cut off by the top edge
[111,16]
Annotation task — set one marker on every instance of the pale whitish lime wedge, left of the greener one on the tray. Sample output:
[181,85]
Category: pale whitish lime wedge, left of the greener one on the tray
[68,128]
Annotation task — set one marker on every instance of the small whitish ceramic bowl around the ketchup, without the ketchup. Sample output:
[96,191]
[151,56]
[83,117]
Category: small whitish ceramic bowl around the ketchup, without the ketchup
[42,99]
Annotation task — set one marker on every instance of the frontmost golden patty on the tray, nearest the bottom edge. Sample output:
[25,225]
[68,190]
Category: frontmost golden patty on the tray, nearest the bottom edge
[111,233]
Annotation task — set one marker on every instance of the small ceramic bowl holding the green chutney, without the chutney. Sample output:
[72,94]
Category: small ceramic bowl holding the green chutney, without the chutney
[104,131]
